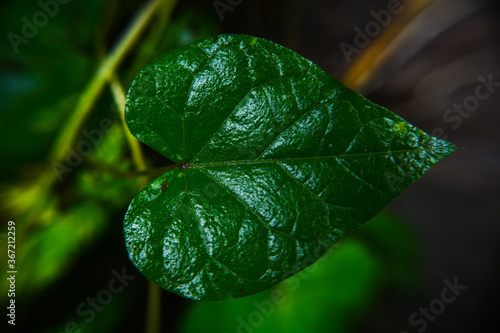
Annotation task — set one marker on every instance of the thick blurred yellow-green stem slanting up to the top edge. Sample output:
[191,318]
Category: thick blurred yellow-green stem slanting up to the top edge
[69,133]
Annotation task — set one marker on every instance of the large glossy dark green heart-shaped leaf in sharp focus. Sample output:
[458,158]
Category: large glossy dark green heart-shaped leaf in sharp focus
[276,161]
